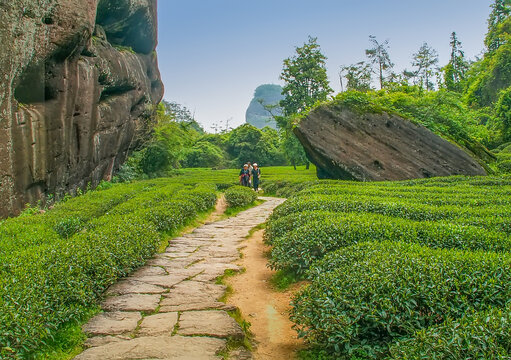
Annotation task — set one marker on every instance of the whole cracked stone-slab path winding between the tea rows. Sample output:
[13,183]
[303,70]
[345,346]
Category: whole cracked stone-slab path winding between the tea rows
[170,308]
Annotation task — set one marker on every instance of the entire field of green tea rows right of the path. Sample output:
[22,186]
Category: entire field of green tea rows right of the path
[403,270]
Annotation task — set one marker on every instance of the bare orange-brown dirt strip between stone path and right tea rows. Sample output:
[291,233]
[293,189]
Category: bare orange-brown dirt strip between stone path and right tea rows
[261,305]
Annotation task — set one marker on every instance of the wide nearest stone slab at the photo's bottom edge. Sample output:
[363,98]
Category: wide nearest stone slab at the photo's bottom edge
[157,347]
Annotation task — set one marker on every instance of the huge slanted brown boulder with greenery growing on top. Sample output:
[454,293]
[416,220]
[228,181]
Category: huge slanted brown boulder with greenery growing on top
[370,147]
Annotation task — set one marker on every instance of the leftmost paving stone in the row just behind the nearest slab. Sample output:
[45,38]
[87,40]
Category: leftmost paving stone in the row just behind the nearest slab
[112,323]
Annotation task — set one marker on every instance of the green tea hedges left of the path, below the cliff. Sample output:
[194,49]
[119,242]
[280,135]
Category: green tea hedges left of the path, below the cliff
[55,266]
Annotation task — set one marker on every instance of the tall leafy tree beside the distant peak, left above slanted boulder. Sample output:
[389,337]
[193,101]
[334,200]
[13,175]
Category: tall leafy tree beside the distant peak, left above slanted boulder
[305,77]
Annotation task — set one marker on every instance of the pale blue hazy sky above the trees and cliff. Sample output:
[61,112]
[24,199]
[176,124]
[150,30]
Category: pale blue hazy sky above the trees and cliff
[214,53]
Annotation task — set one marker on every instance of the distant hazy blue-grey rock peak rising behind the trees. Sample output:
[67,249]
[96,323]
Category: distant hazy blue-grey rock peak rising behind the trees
[265,95]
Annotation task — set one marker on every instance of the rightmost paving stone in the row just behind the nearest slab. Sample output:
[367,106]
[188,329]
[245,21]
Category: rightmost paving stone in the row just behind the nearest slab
[209,323]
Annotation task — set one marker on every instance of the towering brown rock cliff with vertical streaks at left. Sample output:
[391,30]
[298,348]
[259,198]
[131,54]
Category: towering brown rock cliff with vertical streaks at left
[78,83]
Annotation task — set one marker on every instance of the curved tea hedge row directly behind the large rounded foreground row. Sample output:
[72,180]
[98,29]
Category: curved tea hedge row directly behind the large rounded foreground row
[298,249]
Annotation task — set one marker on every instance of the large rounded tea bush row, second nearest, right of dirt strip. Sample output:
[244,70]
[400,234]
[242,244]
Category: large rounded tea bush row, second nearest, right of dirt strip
[364,297]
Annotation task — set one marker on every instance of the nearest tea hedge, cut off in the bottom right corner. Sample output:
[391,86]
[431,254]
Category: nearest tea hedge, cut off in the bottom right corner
[480,335]
